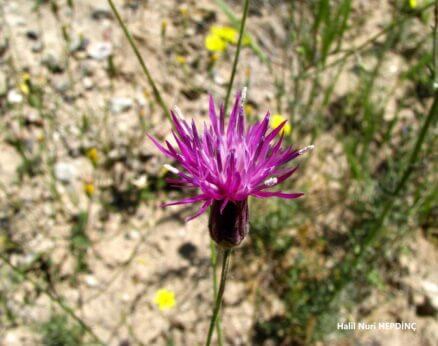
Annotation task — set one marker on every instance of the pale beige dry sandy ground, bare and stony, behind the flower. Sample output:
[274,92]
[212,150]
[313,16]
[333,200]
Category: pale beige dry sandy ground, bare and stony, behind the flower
[136,252]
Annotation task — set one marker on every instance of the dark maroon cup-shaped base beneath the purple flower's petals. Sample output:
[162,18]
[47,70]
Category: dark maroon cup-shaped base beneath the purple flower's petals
[230,227]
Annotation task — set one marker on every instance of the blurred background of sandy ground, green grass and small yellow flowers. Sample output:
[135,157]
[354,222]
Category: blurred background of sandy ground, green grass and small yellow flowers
[88,256]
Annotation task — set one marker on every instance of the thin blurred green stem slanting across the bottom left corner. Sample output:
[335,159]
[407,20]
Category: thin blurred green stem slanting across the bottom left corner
[53,297]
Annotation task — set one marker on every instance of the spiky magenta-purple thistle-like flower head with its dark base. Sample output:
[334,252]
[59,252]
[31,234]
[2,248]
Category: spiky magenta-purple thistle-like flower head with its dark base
[228,164]
